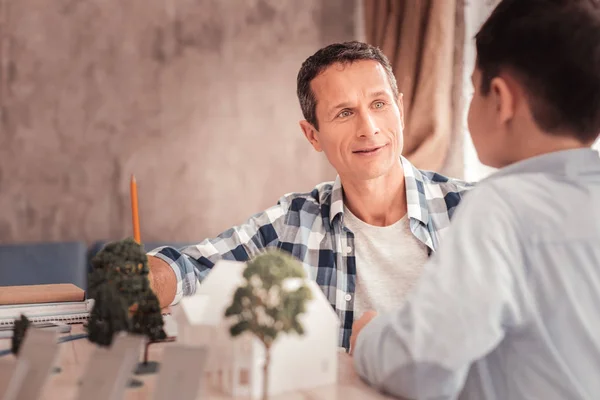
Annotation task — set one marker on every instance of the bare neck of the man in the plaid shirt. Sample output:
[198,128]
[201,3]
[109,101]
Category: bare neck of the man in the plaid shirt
[380,201]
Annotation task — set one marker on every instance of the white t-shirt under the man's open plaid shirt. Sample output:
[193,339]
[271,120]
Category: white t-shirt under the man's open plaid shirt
[389,260]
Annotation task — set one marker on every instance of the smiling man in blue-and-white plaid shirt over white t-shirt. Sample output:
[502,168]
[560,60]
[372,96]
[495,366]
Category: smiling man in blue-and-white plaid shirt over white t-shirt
[364,237]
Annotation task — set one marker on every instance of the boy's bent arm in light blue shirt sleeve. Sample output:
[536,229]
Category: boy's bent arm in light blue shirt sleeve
[457,313]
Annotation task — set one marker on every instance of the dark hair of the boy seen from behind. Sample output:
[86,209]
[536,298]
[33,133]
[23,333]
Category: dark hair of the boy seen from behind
[552,48]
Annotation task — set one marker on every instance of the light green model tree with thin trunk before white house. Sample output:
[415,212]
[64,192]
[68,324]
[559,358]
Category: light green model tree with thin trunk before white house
[269,302]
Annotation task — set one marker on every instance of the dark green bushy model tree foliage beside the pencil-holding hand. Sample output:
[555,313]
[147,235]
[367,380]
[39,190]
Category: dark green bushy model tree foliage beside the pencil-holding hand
[123,299]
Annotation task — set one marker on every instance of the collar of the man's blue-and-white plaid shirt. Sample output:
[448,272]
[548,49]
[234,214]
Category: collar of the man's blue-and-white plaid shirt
[415,194]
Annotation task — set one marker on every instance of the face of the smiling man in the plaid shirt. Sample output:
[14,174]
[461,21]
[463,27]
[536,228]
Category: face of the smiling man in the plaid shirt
[360,121]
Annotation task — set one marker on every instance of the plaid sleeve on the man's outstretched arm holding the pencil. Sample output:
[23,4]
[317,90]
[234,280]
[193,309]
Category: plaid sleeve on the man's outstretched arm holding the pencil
[191,264]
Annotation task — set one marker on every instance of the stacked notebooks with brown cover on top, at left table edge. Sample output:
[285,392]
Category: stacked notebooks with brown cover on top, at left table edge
[64,303]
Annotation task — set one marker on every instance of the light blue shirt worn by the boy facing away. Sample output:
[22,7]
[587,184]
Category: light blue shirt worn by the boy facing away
[509,308]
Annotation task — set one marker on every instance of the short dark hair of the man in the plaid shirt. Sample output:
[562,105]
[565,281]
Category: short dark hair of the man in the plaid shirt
[342,53]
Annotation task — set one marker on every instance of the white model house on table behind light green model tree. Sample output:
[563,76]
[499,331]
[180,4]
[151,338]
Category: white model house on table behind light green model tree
[297,362]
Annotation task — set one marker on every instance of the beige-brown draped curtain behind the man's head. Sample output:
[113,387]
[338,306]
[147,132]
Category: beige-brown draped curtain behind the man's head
[423,40]
